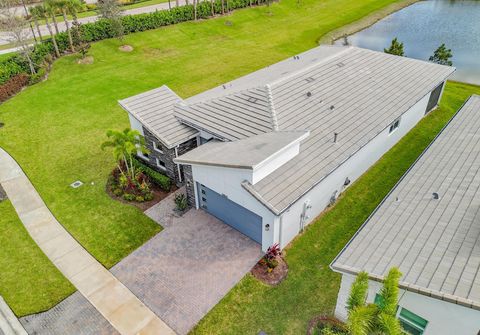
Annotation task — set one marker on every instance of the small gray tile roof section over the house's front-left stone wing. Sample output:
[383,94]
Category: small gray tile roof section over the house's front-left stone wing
[154,109]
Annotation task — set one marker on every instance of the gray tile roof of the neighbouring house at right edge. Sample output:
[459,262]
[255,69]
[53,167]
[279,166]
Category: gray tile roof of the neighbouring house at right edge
[435,243]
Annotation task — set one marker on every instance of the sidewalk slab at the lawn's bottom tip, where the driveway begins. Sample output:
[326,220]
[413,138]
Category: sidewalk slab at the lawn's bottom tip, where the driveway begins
[91,279]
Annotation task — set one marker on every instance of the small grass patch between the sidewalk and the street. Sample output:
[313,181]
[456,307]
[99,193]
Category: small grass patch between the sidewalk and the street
[33,283]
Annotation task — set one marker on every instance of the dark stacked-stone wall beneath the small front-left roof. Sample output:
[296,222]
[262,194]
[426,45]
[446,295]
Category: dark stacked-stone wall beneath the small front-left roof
[167,156]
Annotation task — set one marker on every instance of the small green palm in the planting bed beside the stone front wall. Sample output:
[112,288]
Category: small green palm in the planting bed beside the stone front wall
[125,144]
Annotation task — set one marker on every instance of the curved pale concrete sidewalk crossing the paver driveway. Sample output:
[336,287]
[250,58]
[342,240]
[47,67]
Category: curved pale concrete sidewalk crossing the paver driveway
[127,314]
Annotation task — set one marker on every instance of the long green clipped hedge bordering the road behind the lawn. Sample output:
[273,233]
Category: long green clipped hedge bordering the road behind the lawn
[102,29]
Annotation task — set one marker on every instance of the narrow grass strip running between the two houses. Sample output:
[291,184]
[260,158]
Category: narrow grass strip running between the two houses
[311,287]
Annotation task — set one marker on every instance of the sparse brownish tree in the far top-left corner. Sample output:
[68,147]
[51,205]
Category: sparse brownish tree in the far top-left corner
[18,30]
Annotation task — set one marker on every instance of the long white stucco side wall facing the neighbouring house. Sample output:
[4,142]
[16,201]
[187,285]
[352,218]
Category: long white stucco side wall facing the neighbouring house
[354,167]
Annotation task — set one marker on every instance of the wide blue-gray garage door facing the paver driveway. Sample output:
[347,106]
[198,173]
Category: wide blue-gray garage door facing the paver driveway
[231,213]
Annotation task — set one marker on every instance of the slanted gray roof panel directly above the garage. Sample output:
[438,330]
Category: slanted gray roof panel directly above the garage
[247,153]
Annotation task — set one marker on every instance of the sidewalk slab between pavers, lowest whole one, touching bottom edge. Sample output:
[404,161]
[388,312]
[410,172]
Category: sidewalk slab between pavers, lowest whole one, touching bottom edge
[131,317]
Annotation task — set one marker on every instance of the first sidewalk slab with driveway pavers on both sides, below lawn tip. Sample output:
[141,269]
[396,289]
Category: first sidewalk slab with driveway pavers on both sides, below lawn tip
[109,298]
